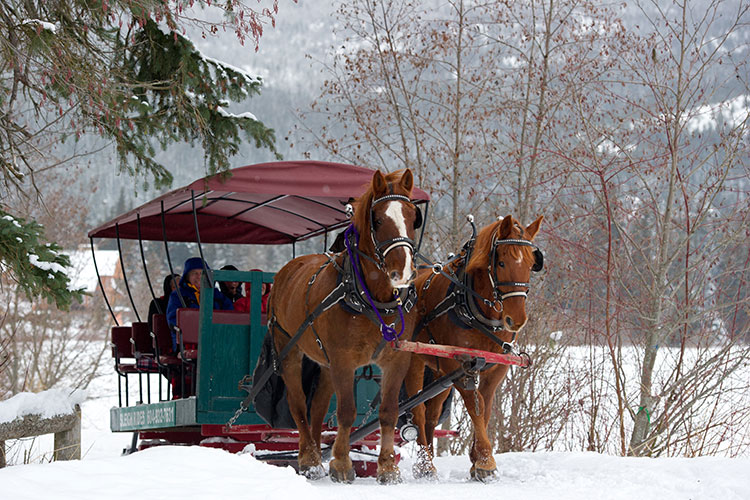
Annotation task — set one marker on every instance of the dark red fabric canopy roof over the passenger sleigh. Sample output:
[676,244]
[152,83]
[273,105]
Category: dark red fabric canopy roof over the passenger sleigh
[268,203]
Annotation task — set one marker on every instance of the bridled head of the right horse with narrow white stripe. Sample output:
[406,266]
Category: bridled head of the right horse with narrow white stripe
[502,260]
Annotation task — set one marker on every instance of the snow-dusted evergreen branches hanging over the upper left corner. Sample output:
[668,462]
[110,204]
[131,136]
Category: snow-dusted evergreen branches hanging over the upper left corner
[122,71]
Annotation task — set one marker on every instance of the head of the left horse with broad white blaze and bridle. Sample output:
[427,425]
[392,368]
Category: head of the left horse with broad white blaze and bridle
[386,219]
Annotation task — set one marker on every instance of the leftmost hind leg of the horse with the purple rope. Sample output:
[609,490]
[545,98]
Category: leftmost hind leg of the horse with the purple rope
[309,457]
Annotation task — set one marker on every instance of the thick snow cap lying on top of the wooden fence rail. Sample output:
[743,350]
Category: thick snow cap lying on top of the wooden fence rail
[47,404]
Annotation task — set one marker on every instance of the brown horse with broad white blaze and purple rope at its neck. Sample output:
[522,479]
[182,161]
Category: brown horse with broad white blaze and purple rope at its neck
[340,340]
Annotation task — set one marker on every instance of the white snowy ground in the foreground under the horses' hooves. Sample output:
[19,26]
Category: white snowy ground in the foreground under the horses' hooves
[194,473]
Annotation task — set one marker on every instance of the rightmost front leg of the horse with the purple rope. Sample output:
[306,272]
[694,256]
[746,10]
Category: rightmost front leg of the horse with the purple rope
[394,372]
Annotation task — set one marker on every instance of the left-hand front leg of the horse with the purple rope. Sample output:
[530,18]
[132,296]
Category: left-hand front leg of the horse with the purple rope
[340,468]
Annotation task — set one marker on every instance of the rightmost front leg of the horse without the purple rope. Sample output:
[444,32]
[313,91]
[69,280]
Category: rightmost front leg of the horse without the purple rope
[483,467]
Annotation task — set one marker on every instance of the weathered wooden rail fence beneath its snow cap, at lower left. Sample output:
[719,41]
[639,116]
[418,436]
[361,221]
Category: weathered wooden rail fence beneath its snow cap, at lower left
[66,428]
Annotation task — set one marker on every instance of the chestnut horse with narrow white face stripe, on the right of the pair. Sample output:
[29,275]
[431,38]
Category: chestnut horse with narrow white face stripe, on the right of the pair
[499,265]
